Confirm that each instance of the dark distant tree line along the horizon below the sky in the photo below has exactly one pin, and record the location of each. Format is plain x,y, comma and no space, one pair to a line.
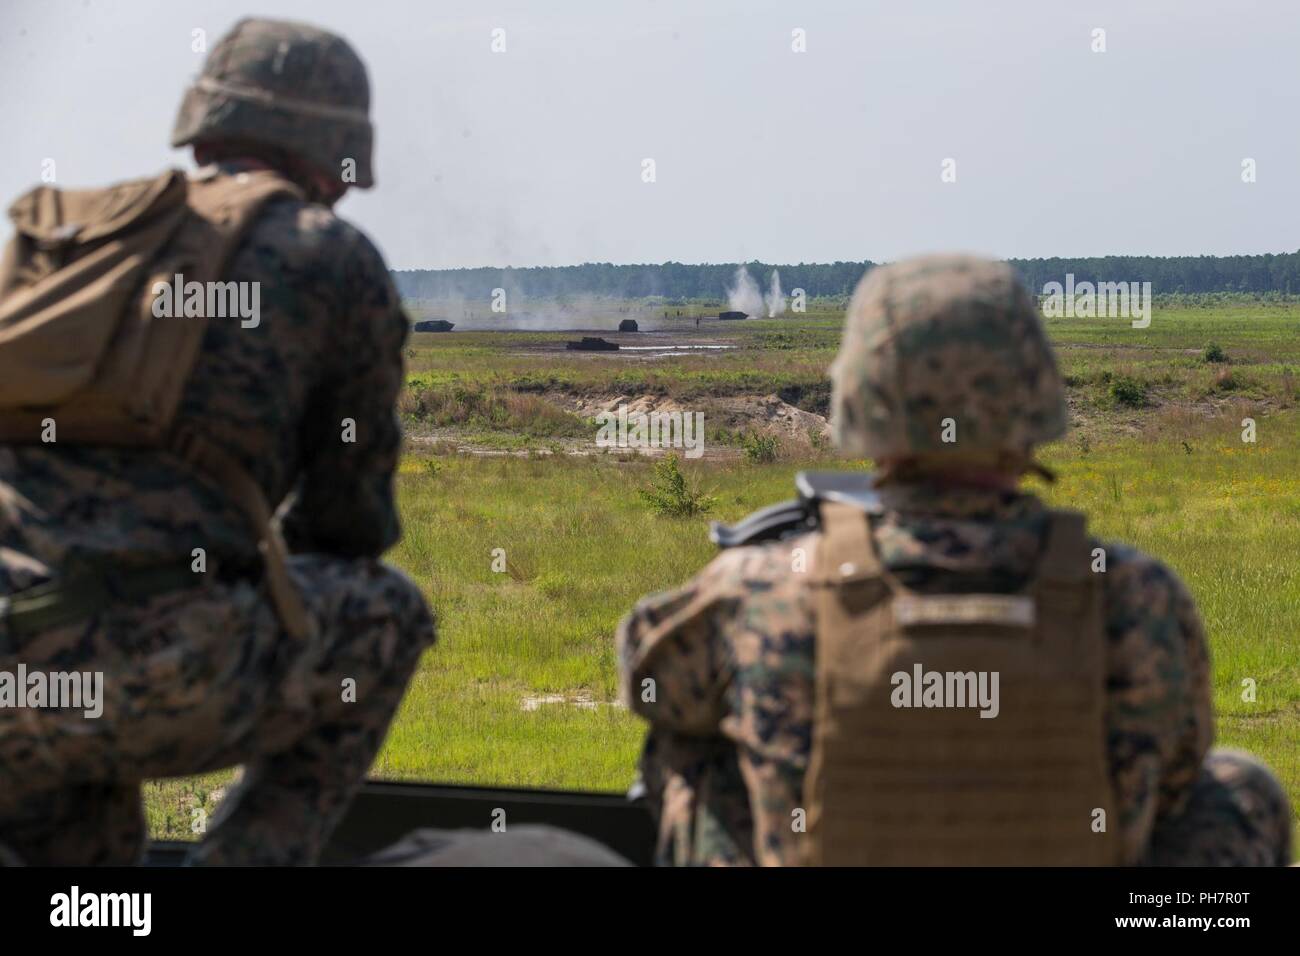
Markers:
1168,275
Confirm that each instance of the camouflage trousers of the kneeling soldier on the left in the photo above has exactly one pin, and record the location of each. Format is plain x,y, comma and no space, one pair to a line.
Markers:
203,680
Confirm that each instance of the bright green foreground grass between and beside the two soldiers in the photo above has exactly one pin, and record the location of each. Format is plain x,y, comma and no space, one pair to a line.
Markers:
582,548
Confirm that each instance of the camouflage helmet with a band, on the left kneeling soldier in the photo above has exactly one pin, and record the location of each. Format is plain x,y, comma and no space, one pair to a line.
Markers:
291,86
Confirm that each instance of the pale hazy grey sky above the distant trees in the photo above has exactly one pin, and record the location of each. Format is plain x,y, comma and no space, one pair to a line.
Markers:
535,157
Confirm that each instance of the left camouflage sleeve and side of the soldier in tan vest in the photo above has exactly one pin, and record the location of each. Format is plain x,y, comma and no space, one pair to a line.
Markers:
722,671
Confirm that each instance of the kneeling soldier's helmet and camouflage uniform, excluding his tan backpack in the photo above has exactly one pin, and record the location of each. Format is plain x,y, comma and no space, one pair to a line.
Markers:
203,678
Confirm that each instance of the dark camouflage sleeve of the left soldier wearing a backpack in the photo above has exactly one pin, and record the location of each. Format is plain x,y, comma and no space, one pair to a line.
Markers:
352,440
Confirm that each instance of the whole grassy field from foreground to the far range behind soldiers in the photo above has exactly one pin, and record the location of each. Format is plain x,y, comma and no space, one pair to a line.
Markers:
521,689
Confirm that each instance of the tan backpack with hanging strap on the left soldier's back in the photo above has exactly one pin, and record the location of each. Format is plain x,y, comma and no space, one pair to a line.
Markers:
80,343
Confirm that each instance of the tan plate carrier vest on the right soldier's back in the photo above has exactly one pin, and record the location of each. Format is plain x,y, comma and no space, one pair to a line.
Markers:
908,772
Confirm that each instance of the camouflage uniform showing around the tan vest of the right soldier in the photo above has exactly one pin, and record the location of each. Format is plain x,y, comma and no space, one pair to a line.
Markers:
731,656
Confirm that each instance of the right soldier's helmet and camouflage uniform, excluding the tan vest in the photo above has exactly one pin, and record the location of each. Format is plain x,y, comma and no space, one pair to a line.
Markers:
733,655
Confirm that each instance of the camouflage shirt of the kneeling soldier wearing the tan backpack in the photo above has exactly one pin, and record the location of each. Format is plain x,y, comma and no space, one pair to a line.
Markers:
275,391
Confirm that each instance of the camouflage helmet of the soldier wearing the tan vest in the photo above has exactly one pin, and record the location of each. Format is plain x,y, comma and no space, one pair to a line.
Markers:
946,338
